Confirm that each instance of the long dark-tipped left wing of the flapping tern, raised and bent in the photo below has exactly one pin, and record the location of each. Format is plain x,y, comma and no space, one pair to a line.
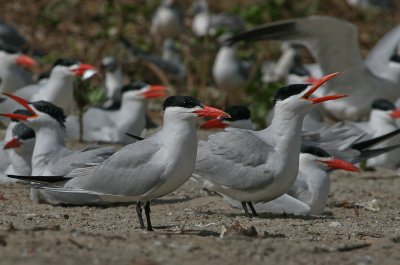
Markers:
332,42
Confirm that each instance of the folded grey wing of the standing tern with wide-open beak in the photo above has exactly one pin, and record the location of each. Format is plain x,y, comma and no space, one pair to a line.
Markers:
235,159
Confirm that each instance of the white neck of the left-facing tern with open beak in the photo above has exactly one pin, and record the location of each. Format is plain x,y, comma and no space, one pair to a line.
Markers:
49,141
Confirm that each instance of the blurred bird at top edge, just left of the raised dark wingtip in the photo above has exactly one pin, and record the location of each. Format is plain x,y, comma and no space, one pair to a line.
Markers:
204,23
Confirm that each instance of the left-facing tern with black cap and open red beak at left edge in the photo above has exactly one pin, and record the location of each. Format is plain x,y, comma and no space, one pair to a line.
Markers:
50,156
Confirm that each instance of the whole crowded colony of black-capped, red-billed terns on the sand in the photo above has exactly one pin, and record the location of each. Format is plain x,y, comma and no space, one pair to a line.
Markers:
331,115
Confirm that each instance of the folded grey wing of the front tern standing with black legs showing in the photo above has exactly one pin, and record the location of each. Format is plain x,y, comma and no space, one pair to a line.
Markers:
130,171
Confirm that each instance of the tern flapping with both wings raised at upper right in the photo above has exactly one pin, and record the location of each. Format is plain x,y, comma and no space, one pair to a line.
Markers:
334,45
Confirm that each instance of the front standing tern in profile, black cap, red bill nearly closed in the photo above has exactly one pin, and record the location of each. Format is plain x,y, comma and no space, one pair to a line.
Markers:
150,168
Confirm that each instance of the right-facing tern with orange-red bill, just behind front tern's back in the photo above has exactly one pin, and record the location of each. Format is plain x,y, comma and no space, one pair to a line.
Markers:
110,125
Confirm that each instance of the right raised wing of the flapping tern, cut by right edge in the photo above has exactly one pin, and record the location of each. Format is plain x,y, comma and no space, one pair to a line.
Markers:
379,57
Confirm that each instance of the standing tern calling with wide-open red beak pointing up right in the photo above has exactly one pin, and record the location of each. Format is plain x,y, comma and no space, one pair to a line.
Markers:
261,165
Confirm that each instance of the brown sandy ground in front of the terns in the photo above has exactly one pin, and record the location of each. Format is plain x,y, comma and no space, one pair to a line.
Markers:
189,223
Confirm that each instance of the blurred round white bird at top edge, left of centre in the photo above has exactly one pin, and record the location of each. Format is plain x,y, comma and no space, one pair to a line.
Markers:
167,21
